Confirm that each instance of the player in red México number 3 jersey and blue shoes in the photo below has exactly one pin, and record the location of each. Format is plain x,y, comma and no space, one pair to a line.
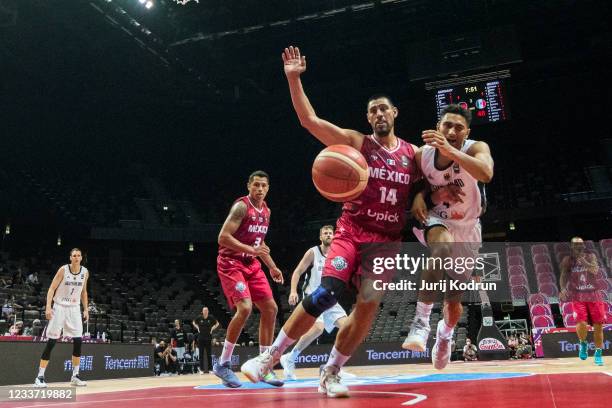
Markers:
241,242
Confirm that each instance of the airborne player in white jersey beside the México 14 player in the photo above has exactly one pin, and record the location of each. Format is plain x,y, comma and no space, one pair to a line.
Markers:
453,166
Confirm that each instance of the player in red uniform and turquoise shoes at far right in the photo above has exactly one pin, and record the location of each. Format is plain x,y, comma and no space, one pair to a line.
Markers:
578,283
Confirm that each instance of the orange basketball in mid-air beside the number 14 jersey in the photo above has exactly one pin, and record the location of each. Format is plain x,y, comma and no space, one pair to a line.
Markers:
340,173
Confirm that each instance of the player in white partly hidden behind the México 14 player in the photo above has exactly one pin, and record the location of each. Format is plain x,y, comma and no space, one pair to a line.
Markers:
333,317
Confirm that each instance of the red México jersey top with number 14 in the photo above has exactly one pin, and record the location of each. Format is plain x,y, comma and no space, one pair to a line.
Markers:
382,205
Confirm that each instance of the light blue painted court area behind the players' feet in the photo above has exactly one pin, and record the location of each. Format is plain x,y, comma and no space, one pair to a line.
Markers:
377,380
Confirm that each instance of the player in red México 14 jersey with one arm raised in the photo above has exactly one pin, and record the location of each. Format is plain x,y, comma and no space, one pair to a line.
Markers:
376,216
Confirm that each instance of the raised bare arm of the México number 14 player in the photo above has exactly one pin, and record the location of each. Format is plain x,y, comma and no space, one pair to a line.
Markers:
326,132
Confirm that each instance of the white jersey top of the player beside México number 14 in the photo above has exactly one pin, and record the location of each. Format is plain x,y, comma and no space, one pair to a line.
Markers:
470,210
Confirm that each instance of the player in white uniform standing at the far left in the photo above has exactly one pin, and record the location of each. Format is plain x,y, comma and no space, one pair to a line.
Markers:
67,292
